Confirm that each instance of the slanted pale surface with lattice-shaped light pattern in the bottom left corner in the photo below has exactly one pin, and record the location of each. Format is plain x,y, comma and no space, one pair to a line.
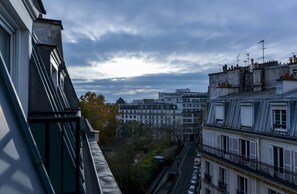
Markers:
18,174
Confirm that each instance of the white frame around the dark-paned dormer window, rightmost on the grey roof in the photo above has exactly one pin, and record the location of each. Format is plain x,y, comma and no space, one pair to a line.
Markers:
279,107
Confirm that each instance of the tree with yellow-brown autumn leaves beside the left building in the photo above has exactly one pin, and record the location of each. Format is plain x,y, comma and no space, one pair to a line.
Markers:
102,116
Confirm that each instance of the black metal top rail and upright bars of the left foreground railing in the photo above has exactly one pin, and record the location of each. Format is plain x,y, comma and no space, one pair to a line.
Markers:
62,119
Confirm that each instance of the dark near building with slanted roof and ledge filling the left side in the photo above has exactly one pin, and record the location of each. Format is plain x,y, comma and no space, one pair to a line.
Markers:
46,146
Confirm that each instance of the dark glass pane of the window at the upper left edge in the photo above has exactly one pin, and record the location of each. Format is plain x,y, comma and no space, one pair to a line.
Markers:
5,46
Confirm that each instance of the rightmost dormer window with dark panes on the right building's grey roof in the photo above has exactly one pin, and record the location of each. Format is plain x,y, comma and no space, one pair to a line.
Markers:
279,116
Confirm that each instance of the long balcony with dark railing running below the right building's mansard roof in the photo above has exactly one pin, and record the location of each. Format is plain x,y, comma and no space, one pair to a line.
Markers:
278,174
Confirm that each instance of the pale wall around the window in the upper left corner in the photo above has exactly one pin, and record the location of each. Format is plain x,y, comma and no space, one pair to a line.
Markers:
17,19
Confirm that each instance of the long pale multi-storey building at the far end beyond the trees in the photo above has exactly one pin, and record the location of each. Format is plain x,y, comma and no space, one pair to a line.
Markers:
179,110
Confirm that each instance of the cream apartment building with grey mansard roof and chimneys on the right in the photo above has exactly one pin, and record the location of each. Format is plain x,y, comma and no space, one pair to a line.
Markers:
249,136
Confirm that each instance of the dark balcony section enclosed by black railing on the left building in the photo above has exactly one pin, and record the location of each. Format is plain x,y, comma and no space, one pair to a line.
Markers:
58,138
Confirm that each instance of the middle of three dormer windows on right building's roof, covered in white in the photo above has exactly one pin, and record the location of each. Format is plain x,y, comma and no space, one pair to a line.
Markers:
246,114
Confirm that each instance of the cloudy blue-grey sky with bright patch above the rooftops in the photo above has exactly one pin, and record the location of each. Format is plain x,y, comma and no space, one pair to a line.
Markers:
137,48
